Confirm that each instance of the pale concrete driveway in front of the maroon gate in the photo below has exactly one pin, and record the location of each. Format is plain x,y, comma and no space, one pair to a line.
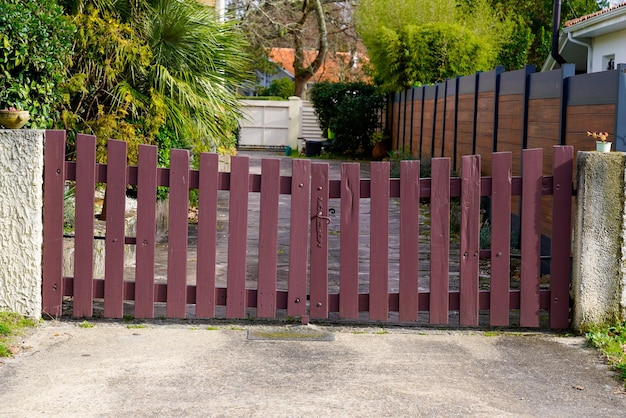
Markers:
211,369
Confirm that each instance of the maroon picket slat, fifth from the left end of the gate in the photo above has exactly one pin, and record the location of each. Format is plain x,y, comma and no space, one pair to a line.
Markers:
177,234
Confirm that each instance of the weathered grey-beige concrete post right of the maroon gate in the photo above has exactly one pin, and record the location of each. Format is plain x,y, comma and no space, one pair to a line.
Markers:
599,264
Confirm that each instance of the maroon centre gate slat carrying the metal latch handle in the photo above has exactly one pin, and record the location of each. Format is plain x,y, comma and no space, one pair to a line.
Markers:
319,241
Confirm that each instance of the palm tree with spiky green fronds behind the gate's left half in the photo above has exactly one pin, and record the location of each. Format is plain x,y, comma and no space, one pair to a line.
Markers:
196,63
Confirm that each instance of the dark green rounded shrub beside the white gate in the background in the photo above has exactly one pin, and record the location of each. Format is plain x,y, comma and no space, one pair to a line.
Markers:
350,112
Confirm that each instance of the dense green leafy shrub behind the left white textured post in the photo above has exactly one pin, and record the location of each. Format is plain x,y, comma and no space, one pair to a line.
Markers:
36,41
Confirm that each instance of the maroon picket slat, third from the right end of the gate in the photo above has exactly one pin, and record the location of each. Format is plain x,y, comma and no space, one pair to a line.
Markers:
500,239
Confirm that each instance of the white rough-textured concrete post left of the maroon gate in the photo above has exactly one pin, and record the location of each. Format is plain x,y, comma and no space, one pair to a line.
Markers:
21,225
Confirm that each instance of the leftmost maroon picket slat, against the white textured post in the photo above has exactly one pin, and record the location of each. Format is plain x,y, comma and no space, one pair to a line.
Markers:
54,188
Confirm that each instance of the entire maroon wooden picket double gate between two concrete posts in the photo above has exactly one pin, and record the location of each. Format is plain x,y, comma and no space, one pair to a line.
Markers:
374,295
